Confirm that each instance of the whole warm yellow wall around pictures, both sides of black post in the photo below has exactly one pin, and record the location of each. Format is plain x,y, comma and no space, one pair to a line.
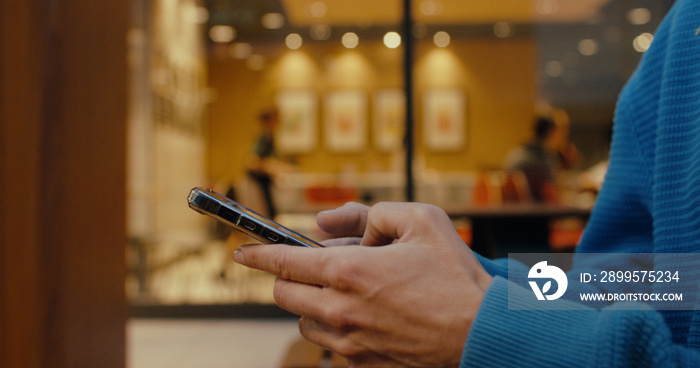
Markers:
496,78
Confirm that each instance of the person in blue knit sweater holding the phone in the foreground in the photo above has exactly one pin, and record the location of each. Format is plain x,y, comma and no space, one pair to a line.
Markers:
408,292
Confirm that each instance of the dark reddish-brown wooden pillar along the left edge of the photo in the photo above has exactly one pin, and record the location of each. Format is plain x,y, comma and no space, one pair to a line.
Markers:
63,96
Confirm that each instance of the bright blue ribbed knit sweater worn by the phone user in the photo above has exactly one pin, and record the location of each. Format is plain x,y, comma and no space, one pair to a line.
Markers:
650,203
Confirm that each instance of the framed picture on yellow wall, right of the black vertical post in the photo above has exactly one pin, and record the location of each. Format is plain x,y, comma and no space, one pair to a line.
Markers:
443,119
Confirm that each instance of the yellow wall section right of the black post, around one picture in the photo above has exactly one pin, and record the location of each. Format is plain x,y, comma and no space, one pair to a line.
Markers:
498,82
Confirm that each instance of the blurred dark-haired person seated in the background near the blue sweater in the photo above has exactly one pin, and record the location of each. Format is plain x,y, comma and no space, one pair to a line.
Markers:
537,162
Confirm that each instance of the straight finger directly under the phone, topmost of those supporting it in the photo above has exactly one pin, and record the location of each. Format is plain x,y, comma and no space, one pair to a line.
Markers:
306,265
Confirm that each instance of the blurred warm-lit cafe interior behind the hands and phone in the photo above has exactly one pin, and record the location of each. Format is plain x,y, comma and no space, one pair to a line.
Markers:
412,100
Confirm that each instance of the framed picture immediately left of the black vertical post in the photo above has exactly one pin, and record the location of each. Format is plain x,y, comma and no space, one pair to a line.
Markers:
389,119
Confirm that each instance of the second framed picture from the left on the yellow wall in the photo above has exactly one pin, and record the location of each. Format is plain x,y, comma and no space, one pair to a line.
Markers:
346,120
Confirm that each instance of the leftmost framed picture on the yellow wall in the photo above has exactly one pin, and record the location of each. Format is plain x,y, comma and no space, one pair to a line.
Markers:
298,127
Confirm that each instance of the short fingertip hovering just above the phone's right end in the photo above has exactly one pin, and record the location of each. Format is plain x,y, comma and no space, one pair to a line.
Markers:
349,219
